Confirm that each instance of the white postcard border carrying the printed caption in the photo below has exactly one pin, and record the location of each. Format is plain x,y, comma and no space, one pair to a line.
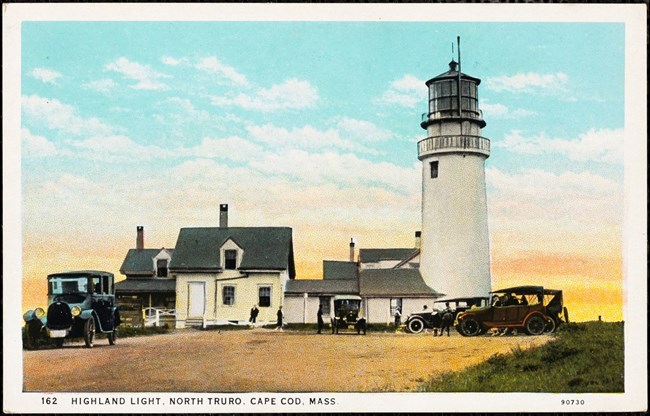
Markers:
635,222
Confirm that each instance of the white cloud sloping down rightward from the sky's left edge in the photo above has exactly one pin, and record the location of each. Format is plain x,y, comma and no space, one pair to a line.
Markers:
56,115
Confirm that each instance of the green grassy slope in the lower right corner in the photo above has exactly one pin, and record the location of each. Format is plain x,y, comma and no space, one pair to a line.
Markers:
583,358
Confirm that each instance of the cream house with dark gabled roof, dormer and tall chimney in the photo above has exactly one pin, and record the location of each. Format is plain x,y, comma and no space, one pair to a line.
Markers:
221,272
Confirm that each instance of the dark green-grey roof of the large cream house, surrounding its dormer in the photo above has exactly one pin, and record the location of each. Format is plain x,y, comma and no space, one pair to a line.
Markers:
265,248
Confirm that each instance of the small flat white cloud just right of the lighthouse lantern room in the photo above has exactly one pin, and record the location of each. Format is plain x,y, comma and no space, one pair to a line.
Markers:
530,83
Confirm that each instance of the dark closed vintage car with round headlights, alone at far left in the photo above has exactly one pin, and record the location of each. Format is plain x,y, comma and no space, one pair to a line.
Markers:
81,303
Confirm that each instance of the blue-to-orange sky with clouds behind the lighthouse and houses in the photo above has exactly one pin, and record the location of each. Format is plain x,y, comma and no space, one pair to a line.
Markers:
314,126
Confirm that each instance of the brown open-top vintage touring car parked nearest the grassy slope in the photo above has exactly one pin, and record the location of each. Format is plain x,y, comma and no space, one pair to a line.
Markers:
532,308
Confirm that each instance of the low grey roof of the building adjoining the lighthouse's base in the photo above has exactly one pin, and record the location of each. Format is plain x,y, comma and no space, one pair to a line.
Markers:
394,283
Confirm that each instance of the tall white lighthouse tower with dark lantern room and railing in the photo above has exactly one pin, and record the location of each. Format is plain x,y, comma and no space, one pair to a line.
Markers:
455,252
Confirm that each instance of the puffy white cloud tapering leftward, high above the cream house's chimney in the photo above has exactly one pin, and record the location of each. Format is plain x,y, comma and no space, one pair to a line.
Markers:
292,94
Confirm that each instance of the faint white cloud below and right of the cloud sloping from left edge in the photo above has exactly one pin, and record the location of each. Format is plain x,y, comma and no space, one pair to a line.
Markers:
117,148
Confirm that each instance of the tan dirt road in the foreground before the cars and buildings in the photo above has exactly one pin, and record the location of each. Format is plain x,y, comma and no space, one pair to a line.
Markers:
259,360
